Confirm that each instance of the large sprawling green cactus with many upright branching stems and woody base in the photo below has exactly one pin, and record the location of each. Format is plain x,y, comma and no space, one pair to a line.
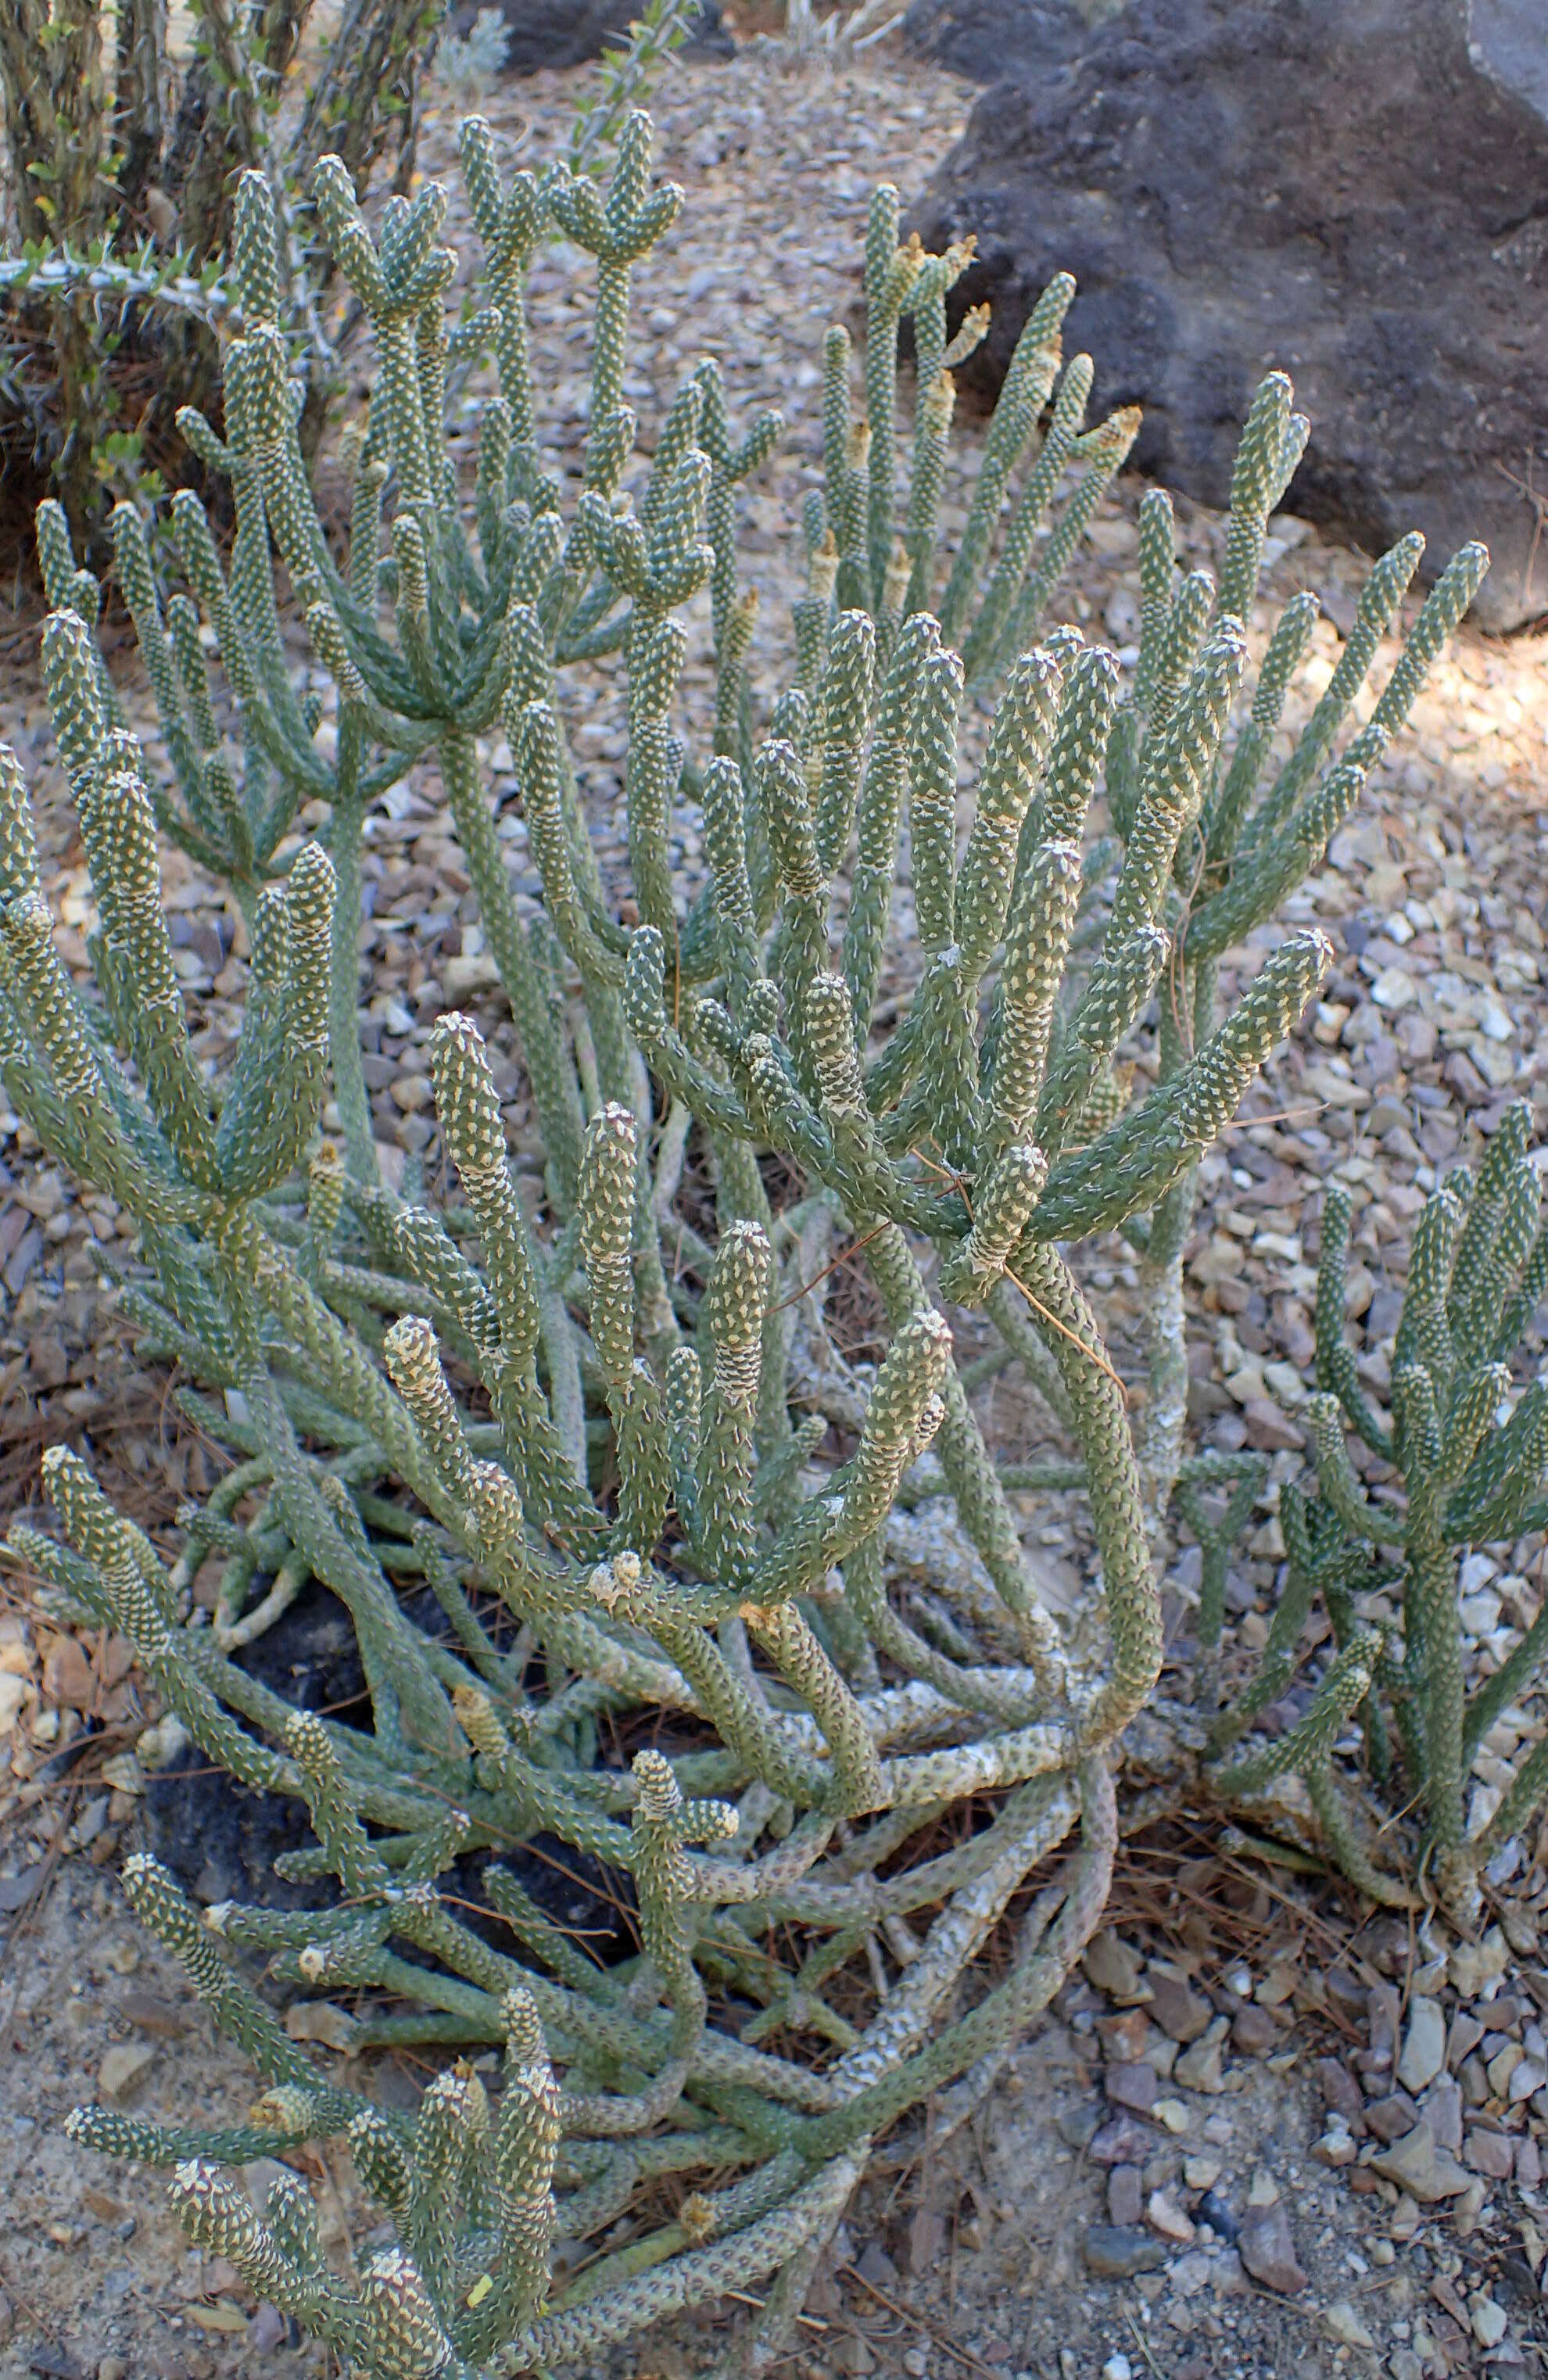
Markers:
580,1422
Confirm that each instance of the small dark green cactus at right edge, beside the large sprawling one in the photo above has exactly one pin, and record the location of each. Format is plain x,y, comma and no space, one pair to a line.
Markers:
1468,1451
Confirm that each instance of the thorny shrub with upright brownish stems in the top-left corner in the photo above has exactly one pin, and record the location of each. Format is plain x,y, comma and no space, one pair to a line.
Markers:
123,213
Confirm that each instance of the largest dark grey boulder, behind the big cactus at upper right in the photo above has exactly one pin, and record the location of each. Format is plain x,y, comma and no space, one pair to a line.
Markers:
1354,192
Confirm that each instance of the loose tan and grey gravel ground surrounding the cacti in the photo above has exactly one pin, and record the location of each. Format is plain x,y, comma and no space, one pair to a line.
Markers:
1435,898
